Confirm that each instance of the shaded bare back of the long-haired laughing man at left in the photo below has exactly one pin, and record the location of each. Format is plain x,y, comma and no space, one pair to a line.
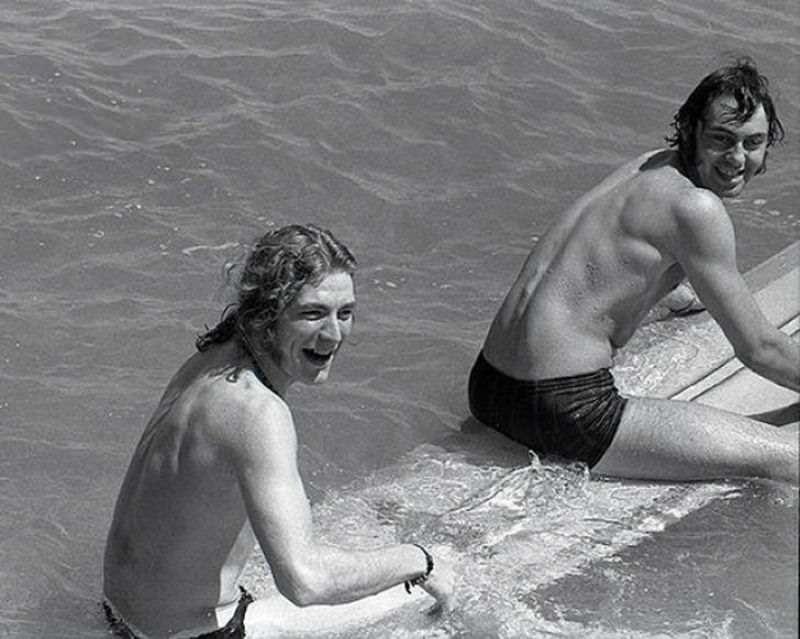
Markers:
180,535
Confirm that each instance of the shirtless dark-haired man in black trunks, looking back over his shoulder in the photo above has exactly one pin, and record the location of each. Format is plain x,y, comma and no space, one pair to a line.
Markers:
543,376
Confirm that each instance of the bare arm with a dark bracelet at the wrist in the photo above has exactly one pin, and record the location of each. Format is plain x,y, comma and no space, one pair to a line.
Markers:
306,571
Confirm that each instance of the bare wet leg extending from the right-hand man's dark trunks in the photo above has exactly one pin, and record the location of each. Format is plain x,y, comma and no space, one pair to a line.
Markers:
676,440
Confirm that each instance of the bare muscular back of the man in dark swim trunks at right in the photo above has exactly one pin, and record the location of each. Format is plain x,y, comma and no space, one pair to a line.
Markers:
592,277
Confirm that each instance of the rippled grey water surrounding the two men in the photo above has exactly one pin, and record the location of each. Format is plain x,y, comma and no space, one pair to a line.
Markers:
143,144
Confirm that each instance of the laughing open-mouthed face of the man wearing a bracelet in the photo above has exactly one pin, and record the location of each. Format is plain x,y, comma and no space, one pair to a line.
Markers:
313,327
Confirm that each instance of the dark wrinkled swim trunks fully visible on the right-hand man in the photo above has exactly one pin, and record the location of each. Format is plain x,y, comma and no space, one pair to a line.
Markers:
571,417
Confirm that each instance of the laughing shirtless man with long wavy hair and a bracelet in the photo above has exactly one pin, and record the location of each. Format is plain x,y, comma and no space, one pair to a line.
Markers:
216,468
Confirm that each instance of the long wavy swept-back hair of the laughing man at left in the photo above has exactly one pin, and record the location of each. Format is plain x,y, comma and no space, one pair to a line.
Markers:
280,264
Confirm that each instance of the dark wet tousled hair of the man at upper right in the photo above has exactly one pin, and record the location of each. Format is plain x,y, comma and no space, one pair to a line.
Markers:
745,84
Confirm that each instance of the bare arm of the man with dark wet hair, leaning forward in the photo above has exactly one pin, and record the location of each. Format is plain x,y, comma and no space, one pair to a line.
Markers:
705,246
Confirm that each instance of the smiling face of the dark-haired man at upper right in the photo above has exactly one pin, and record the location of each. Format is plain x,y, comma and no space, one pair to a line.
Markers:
729,153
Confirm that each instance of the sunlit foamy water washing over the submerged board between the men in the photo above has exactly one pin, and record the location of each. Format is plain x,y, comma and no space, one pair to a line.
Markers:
512,533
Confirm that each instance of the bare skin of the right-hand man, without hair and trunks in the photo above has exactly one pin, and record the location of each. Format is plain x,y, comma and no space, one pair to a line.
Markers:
608,259
